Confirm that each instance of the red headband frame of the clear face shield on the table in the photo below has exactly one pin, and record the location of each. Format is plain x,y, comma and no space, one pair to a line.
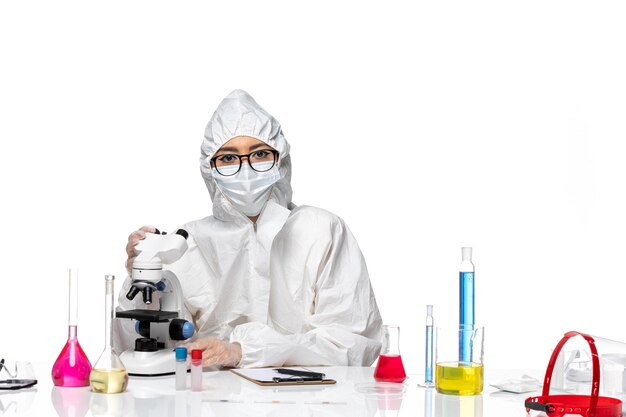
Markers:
585,405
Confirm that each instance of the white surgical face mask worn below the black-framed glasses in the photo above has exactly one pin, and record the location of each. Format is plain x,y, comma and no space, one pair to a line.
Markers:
248,190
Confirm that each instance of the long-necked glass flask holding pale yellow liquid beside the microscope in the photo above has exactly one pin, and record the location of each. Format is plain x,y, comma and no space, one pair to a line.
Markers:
109,375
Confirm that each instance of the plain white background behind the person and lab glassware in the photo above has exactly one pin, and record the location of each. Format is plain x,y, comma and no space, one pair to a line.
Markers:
426,126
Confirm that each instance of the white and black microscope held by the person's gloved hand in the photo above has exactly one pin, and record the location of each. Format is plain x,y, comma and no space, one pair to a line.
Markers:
159,329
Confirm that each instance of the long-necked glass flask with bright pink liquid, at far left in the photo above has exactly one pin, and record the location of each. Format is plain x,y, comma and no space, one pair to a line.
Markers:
72,367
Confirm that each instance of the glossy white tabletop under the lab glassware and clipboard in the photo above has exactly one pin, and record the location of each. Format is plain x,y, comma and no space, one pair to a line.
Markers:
225,394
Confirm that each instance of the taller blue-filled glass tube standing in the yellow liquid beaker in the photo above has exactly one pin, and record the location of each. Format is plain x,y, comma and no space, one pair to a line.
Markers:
466,304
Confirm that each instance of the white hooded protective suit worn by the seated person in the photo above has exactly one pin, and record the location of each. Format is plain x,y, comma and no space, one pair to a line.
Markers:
292,289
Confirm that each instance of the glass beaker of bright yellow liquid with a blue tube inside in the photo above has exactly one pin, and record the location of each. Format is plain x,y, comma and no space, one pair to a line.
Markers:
453,375
